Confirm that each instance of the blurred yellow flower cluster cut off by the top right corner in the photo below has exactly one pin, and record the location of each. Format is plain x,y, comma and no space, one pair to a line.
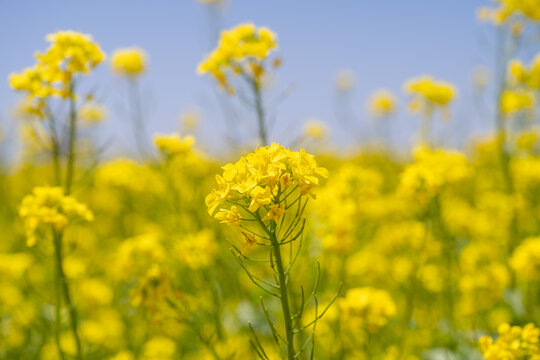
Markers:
507,8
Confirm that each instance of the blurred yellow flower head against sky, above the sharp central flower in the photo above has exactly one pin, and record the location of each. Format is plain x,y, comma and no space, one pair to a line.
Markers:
241,50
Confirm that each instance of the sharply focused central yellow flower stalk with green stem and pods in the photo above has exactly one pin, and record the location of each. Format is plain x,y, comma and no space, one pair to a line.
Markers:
265,195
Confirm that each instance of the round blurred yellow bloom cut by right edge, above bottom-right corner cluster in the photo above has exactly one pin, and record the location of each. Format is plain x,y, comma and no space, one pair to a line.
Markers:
525,260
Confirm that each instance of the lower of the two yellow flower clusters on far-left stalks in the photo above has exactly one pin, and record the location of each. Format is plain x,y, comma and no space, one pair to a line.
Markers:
49,205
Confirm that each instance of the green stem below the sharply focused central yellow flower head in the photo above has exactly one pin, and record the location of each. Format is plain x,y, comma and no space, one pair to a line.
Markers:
284,296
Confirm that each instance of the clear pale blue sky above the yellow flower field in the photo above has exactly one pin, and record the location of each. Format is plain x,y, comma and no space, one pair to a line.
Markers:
384,42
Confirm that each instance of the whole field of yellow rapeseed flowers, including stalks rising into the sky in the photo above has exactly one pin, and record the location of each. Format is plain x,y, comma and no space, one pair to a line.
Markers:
275,250
